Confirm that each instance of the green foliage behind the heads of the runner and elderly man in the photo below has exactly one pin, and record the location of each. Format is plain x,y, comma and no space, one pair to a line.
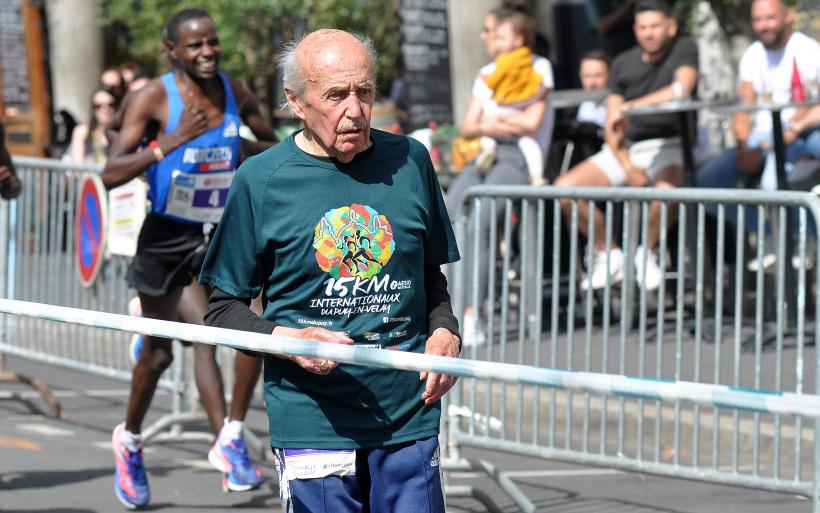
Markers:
251,32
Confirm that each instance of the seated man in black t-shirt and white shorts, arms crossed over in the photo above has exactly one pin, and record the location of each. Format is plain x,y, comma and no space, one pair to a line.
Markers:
646,150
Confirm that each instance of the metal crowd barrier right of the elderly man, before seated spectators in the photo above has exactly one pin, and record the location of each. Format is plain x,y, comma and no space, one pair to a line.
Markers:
716,318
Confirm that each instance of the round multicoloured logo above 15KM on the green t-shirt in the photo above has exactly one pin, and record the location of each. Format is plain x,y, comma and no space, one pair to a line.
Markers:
353,241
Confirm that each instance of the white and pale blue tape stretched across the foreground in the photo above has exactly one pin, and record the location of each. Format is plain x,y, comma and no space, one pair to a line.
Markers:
704,394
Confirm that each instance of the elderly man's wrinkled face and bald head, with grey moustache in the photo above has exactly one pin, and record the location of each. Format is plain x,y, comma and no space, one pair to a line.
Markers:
339,95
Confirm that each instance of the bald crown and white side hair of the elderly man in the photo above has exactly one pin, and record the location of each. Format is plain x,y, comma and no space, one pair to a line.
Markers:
301,58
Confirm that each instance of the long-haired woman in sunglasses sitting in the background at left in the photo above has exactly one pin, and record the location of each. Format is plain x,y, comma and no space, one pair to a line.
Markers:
89,142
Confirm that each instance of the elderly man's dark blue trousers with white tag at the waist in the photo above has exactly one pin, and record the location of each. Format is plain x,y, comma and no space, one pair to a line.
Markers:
396,478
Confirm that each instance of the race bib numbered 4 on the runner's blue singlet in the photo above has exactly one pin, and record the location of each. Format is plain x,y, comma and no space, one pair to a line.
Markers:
198,197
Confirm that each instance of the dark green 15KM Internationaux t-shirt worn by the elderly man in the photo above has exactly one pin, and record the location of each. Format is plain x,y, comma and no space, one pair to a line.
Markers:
342,247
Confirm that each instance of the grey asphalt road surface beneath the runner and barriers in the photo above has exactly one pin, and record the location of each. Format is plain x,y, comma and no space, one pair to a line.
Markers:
66,465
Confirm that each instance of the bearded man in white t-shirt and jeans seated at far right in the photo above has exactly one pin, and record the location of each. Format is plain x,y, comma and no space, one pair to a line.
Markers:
766,70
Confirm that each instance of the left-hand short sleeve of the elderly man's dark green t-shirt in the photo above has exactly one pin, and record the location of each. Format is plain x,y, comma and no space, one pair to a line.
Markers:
232,261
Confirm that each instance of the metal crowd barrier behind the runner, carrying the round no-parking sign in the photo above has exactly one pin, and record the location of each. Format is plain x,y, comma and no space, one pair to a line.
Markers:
37,248
